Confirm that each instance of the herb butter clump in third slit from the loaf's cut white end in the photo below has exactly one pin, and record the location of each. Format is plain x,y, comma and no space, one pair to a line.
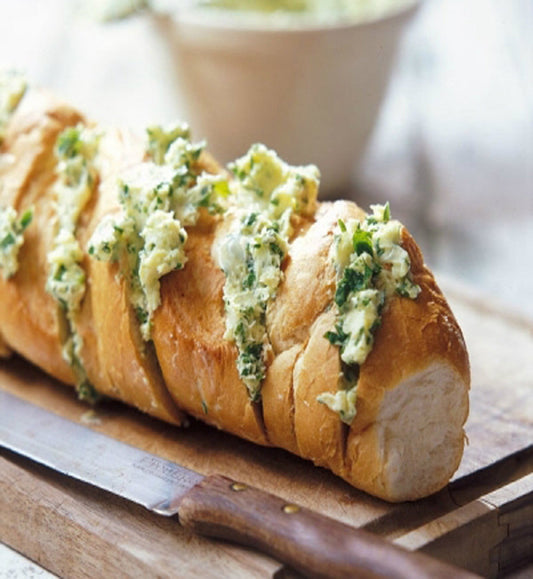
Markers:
159,198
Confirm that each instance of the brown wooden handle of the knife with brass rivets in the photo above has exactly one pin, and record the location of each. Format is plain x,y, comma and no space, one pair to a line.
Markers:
311,543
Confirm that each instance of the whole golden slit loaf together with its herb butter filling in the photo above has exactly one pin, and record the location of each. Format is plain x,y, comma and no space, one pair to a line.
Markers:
139,269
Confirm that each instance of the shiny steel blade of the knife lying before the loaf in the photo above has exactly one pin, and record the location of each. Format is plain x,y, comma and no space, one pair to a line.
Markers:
91,457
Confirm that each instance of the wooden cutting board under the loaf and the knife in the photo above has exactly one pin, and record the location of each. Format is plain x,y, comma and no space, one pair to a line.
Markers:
481,521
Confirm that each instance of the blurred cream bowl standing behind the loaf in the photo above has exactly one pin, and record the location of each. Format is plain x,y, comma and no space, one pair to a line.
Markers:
310,91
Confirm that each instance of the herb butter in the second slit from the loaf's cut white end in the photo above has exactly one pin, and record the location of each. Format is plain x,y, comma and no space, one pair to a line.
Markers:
266,193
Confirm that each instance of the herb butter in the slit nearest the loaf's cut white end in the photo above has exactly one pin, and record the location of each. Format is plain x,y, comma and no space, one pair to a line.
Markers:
371,266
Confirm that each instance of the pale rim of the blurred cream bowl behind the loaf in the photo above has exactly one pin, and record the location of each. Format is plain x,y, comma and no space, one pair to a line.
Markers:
240,21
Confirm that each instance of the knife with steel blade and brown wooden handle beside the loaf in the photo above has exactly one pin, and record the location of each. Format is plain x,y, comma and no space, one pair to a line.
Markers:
213,506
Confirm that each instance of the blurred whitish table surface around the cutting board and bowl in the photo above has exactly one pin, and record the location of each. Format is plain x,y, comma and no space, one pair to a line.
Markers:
452,152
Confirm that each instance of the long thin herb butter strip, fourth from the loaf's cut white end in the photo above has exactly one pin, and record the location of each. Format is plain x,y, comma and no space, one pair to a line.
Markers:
76,151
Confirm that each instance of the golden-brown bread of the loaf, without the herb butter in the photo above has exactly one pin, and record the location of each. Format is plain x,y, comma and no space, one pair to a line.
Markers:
407,437
